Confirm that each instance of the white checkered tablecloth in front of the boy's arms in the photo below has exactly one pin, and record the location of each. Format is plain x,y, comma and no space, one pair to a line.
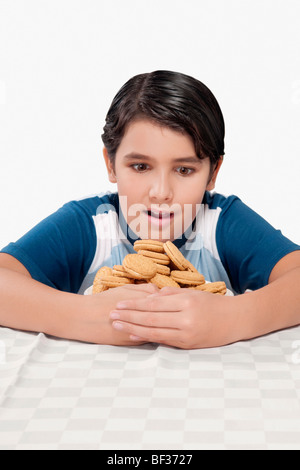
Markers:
57,394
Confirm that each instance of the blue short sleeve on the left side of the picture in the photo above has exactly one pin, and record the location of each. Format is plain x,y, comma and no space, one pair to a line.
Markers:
59,250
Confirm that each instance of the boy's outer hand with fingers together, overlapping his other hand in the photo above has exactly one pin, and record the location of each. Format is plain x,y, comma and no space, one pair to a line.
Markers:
183,318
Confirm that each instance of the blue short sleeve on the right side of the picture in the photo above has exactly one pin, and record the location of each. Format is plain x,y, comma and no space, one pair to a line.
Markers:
249,247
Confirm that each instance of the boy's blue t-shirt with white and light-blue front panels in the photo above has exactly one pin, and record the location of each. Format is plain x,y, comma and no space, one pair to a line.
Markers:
226,242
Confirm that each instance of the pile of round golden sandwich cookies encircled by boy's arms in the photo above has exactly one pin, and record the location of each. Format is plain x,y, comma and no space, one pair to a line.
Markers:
161,264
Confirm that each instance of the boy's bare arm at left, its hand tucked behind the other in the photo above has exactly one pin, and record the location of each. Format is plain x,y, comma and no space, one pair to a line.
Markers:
28,305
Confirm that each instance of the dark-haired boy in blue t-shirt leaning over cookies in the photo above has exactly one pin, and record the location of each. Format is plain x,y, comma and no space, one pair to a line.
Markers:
164,147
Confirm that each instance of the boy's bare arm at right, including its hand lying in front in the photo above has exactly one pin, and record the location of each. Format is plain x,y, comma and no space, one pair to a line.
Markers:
192,319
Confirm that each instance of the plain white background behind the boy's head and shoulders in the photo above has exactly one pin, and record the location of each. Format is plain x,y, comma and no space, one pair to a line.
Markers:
62,62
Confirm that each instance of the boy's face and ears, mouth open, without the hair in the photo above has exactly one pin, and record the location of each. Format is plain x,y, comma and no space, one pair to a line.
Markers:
161,181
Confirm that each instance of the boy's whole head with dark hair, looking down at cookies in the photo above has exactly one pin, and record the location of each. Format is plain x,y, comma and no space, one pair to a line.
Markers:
164,144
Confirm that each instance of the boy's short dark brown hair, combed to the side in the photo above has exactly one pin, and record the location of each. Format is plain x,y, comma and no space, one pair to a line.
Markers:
172,100
